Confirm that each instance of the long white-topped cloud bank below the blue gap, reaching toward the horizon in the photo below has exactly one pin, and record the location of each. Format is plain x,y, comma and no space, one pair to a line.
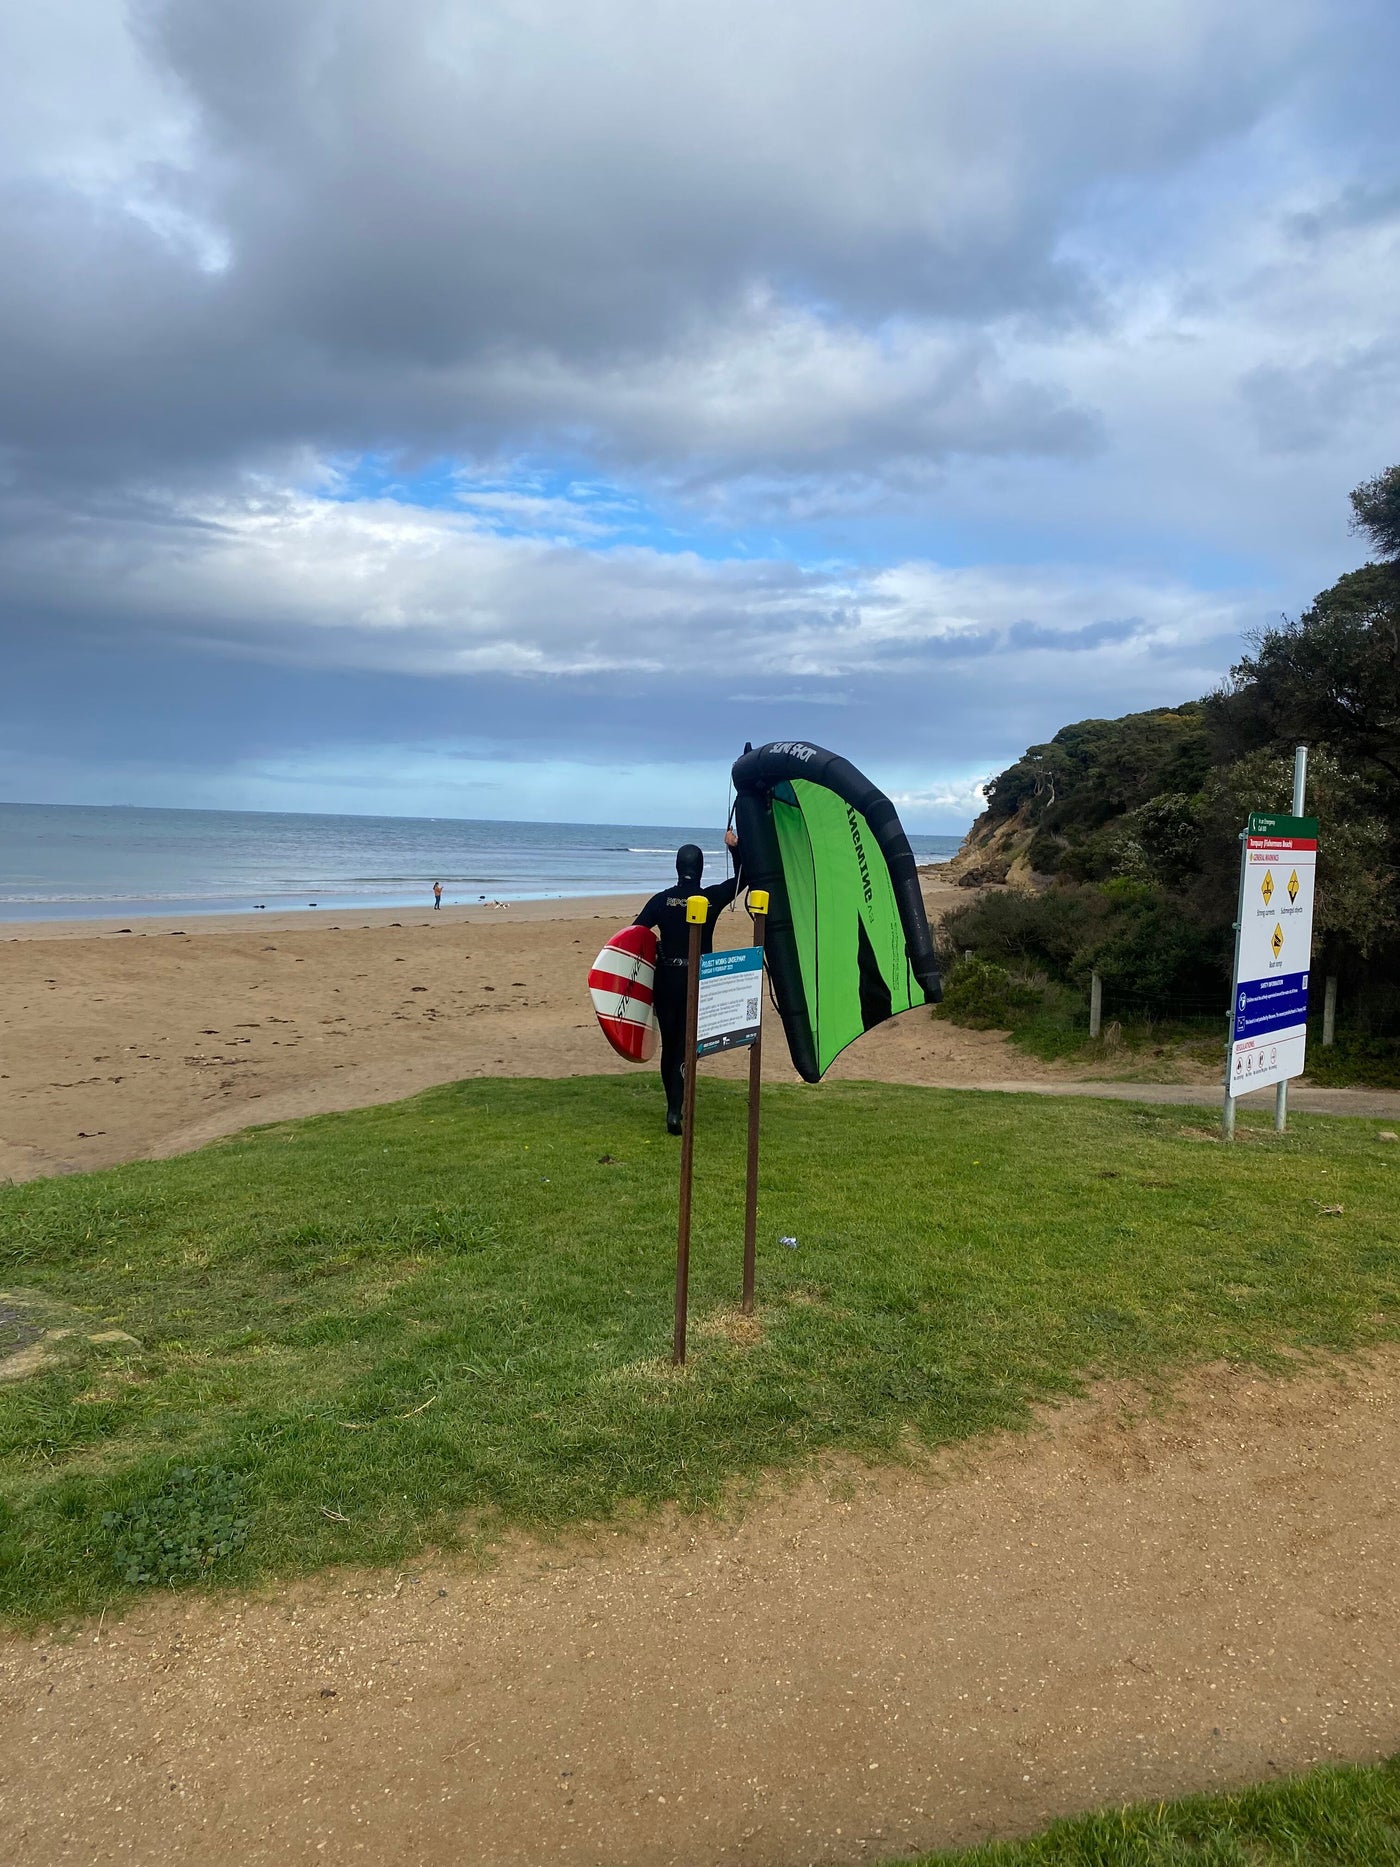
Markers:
315,626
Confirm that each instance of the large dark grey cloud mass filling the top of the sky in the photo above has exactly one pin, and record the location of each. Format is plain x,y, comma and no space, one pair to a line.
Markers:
423,225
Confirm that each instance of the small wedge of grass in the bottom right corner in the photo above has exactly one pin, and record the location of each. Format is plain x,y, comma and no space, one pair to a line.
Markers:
1324,1819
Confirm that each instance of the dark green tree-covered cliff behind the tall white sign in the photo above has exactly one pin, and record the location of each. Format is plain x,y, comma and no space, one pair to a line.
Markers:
1121,837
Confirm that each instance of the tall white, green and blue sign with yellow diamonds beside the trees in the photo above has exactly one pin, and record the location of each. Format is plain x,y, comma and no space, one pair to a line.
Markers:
1274,953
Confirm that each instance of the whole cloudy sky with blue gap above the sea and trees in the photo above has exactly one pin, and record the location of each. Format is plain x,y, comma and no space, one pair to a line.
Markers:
509,410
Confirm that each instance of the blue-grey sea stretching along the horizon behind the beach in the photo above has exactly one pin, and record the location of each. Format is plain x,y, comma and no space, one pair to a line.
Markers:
74,862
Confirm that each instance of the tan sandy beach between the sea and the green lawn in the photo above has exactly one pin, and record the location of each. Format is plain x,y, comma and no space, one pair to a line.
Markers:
126,1045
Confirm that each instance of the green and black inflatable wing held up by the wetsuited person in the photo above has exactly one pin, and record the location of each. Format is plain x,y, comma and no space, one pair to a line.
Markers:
848,940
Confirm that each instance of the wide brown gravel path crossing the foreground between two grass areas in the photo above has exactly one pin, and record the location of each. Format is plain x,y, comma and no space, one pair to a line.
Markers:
1112,1608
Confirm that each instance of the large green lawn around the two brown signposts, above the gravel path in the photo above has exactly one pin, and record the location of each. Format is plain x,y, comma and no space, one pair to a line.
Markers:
427,1323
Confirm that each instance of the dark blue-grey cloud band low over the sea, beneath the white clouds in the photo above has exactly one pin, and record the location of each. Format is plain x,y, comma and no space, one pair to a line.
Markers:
132,710
